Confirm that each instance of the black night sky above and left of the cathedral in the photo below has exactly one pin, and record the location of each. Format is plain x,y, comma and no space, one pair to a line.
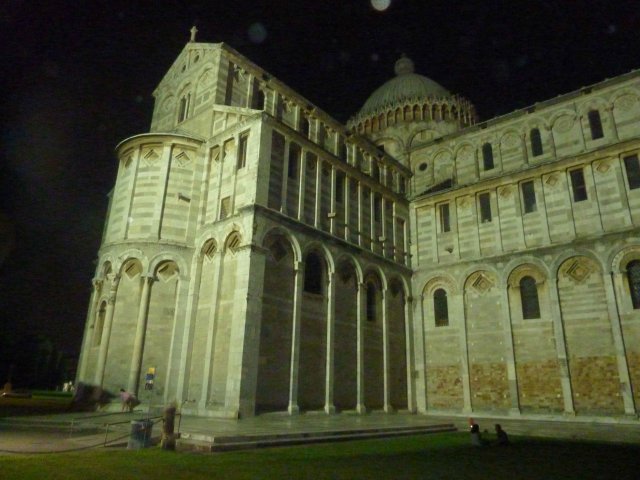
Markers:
77,78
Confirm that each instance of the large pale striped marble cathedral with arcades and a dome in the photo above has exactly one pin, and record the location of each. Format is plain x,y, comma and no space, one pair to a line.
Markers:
260,256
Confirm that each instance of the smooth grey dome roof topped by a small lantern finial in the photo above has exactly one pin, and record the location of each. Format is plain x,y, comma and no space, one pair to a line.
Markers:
406,85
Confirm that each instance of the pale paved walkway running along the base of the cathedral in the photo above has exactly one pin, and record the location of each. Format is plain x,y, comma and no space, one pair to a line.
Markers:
75,431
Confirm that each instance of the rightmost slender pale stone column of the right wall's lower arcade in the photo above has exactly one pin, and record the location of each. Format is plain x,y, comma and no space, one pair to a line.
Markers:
618,342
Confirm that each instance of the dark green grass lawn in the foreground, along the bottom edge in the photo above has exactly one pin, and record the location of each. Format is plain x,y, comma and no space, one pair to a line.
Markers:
435,456
